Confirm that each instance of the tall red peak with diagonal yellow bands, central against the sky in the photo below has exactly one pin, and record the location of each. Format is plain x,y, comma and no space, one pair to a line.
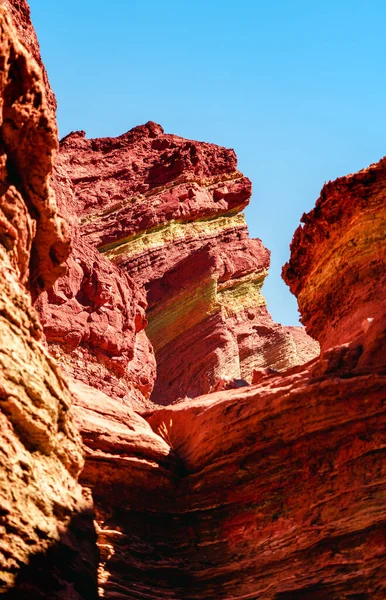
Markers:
166,211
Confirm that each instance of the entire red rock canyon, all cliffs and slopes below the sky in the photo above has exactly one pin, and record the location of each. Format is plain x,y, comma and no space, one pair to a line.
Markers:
162,436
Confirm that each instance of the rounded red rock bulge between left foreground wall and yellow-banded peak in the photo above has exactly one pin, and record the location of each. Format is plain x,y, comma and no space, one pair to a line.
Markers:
94,316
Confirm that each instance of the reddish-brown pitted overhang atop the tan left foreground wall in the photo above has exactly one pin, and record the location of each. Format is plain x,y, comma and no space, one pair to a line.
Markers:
29,138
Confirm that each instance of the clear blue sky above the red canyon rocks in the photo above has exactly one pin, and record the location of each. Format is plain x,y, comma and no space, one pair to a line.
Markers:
296,87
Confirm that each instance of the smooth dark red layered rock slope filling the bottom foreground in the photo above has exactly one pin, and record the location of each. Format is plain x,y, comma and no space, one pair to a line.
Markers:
275,491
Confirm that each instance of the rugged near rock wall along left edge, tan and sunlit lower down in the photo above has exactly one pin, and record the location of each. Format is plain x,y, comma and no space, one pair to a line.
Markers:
45,519
